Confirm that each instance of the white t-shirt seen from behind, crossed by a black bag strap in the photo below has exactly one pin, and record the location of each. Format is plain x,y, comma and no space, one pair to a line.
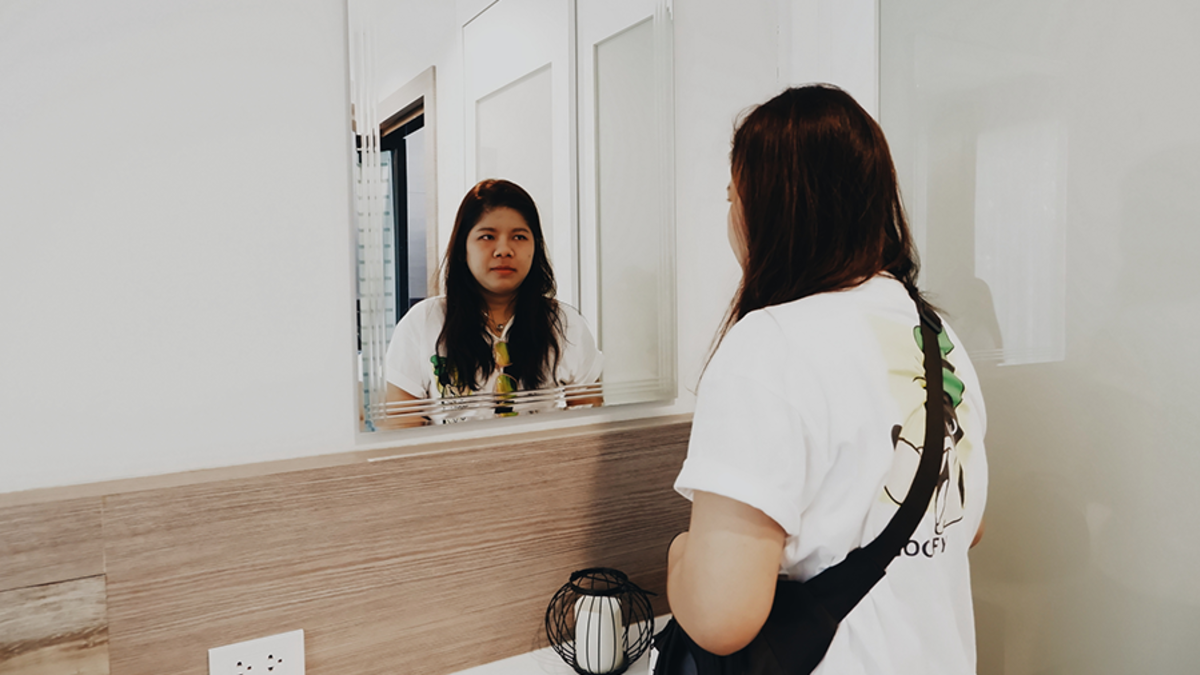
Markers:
813,413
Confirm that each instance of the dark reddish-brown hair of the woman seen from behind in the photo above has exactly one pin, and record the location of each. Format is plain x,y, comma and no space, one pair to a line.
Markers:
820,201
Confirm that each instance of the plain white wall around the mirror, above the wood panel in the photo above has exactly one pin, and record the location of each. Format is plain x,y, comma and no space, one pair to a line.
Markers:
176,279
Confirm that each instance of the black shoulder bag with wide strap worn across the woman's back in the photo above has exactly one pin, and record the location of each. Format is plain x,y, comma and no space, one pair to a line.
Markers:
805,616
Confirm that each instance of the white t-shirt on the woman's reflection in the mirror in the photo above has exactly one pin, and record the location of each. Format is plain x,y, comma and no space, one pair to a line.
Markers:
413,360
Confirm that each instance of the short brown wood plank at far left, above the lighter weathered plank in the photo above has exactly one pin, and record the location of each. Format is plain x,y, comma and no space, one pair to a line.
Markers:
43,543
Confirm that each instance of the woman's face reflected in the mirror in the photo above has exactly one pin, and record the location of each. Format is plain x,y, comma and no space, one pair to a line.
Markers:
500,252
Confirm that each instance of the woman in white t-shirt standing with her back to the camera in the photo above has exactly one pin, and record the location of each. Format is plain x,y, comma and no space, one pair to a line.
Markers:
811,413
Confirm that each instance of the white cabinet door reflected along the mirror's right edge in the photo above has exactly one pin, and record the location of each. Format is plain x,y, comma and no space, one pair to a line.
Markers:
625,232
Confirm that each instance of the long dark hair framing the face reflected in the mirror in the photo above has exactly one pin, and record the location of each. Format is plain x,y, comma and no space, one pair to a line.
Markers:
533,338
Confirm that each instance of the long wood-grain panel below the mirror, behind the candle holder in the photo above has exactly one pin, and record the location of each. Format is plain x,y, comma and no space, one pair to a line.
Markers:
424,564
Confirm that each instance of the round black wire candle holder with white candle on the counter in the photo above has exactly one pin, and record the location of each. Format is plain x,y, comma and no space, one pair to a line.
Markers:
601,623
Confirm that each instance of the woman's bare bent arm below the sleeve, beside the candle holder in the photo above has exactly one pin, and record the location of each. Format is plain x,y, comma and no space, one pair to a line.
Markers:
722,574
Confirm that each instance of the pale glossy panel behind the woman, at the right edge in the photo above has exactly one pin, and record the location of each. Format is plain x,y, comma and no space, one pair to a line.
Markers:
1049,154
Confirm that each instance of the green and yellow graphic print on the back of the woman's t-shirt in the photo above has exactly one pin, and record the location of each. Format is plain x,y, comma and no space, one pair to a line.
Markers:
950,497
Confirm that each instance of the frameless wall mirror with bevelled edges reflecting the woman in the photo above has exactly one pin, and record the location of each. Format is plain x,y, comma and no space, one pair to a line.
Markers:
572,103
